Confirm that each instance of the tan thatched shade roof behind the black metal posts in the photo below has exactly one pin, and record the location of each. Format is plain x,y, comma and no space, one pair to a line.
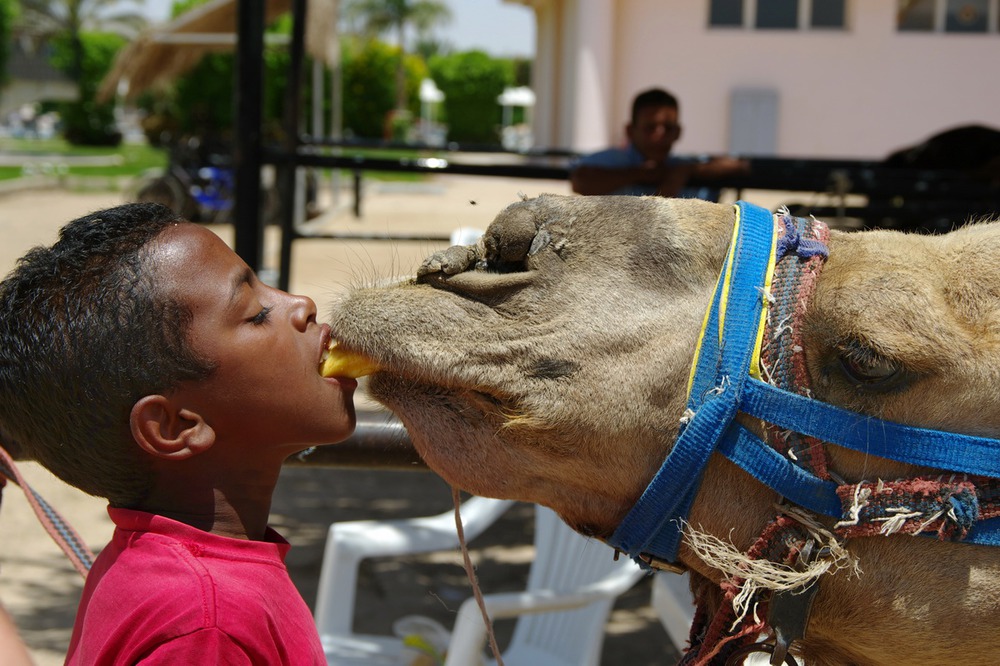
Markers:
162,53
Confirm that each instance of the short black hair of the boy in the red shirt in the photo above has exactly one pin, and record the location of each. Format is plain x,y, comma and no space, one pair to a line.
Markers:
83,335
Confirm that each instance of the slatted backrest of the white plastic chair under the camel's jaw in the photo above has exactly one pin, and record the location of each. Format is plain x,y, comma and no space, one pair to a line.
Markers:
566,562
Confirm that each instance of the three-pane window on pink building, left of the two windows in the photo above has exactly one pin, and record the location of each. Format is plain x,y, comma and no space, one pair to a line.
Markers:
777,14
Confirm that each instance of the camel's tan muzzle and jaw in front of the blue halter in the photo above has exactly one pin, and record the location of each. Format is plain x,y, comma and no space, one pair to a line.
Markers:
549,363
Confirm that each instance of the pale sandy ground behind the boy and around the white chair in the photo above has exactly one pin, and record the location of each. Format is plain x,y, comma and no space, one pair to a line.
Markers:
41,590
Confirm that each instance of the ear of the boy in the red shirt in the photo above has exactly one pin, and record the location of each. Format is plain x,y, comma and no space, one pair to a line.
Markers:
165,430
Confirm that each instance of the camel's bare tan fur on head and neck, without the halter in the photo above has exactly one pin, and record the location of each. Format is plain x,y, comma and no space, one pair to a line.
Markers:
550,363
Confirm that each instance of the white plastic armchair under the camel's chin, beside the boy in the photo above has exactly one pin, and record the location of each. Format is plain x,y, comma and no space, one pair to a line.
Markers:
572,585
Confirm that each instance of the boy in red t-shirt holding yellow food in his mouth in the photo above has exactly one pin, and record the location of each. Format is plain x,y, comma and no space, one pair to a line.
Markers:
141,360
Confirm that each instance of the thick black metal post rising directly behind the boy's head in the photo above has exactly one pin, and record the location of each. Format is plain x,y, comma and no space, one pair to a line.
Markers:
247,147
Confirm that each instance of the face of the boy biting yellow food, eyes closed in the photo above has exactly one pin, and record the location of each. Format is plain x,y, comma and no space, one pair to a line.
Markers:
266,392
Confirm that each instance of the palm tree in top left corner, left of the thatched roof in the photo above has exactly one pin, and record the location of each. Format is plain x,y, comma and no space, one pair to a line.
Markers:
49,18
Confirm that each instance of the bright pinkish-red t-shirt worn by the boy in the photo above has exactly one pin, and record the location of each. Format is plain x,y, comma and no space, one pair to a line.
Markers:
163,592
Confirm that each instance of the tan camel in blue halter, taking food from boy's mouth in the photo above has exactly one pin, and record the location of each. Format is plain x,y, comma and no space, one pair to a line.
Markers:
551,363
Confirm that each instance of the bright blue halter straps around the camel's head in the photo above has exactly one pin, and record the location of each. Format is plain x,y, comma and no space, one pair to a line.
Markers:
721,386
